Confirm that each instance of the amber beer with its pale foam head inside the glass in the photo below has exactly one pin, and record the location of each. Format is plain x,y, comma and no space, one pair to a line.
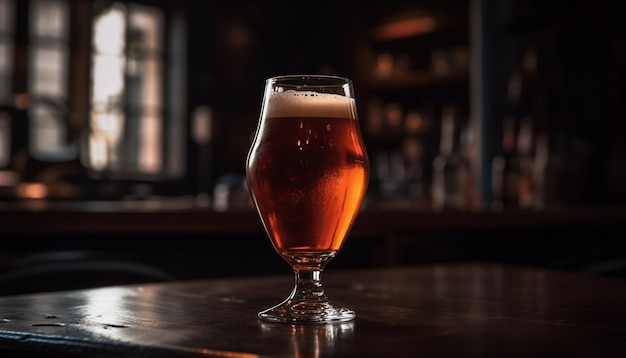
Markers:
308,171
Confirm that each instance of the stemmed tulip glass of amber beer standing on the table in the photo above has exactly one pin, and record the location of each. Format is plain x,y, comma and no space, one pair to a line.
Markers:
307,172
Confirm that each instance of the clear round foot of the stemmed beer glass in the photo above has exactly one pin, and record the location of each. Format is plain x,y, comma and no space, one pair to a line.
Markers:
307,312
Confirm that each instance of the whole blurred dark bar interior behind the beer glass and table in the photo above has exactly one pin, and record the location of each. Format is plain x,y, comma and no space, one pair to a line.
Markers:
495,129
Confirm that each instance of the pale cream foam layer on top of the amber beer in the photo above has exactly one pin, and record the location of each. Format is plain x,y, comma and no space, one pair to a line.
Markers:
309,104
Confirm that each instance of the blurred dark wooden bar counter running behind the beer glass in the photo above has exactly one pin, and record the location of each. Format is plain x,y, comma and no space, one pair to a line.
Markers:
182,217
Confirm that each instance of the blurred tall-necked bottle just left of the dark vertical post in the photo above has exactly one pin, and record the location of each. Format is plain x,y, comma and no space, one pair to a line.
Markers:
451,170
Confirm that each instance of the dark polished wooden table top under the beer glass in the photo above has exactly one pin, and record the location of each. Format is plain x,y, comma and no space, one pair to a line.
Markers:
460,310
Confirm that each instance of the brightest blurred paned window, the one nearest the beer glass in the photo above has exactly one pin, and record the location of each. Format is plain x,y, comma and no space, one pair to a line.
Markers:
130,131
